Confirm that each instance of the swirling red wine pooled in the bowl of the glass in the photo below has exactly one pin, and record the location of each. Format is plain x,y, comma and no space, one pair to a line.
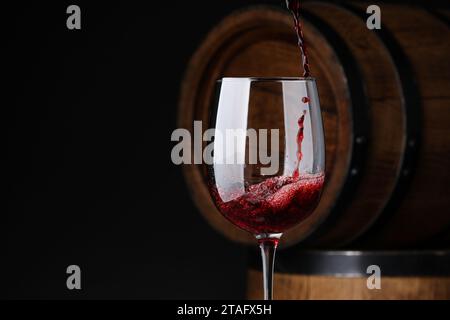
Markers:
272,206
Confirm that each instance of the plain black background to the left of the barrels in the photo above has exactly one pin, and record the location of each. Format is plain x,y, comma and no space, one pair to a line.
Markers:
89,176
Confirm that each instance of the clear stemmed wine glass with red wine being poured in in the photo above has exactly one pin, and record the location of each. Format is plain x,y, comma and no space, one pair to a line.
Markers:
267,158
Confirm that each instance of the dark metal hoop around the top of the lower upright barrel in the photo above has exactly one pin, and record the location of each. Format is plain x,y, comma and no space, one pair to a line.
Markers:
355,263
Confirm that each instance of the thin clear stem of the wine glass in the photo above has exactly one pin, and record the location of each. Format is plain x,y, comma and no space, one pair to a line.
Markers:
268,248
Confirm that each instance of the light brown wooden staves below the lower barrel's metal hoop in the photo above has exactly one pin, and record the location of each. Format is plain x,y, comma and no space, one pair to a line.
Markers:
302,287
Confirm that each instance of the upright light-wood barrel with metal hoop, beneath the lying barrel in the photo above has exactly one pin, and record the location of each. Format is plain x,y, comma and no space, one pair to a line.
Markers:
343,275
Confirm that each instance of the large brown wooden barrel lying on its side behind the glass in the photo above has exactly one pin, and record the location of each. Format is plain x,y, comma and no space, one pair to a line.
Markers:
386,110
